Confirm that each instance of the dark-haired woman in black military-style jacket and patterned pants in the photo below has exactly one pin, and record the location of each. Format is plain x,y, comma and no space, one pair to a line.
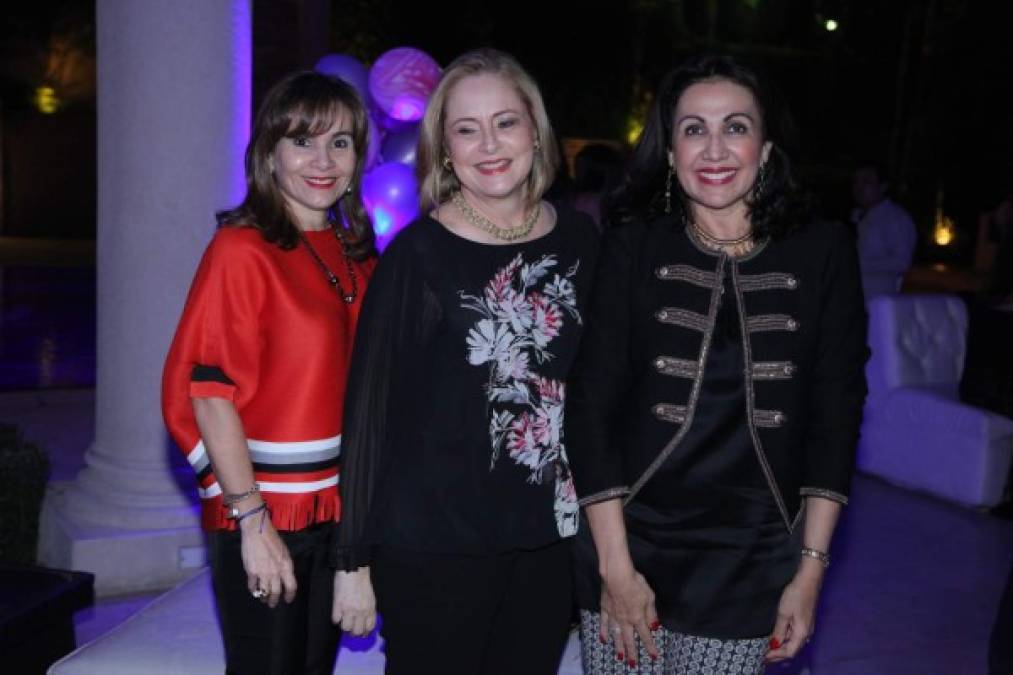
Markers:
716,405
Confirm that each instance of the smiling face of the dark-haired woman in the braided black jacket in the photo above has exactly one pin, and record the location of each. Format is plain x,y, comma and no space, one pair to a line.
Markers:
718,145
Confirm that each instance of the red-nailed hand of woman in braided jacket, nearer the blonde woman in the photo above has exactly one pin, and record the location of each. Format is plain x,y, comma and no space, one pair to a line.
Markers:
629,605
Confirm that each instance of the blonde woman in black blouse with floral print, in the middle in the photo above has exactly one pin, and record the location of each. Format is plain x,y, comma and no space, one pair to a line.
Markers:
459,503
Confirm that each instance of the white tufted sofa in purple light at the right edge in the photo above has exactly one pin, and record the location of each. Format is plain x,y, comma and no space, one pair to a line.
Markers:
916,433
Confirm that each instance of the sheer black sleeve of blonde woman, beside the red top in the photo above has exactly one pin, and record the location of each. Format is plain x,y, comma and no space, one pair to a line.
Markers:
399,313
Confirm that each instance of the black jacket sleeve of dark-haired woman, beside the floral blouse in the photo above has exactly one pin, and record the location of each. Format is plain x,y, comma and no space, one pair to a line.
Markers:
602,377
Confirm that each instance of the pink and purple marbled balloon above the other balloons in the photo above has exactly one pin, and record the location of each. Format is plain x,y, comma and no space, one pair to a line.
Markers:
402,81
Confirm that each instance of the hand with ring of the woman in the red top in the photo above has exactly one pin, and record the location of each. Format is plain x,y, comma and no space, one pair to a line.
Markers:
267,561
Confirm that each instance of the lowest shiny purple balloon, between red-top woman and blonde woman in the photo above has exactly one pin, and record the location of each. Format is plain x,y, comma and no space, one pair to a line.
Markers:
391,195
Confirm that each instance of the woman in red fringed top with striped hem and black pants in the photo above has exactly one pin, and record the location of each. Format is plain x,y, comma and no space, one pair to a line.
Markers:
255,380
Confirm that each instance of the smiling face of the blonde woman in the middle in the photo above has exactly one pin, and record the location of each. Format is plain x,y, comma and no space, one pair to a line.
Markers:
490,137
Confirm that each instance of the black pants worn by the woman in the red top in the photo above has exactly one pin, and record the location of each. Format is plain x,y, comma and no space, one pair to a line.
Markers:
290,639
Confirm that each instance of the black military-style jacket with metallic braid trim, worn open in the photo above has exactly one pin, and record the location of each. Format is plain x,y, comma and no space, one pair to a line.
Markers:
635,389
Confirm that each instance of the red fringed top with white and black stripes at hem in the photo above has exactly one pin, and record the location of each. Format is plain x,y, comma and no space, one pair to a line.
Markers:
264,328
